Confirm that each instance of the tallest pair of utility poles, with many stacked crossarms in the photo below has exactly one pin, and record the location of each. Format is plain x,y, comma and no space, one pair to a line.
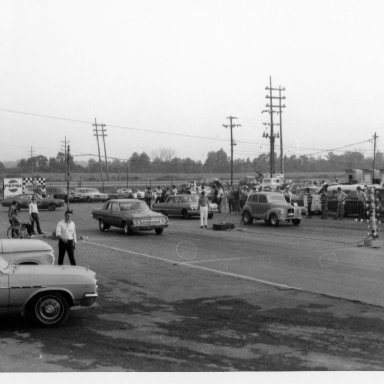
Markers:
272,135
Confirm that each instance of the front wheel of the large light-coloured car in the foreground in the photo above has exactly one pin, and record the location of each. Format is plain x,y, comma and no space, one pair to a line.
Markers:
50,309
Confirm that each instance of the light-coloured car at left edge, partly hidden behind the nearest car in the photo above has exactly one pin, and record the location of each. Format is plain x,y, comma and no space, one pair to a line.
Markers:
26,251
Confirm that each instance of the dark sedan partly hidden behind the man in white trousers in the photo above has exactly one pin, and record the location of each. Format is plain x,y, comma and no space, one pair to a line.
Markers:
183,205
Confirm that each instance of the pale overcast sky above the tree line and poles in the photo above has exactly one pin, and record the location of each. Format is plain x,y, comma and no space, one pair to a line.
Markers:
167,74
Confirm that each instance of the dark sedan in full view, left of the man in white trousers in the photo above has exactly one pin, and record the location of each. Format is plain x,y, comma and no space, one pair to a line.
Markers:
131,215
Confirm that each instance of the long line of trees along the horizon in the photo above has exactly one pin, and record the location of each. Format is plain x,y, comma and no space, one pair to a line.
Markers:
216,161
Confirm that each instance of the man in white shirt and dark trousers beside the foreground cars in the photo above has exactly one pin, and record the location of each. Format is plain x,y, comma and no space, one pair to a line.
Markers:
66,233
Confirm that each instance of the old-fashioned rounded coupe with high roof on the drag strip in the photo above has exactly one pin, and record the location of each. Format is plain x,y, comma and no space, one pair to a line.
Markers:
270,207
